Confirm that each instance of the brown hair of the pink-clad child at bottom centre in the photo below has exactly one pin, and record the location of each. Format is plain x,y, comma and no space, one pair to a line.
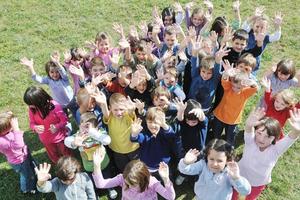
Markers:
136,173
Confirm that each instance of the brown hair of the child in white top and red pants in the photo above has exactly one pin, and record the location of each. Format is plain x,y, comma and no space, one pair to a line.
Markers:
272,126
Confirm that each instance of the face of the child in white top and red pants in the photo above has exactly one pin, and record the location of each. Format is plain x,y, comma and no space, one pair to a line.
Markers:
262,139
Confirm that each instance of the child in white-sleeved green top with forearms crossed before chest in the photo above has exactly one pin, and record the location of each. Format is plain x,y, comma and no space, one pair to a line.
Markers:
88,140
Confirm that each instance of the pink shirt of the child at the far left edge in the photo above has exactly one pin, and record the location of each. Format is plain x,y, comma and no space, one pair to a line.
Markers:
13,147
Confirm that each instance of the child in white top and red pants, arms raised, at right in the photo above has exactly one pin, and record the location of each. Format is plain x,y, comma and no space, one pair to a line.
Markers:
262,151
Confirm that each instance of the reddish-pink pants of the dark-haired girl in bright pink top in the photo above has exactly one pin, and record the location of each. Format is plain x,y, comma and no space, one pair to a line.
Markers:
56,150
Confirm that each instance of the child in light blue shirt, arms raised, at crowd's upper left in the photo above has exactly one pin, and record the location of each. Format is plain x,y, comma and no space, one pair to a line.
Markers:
58,81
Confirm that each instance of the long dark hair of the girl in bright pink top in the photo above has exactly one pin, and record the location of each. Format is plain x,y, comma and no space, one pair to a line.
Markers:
39,98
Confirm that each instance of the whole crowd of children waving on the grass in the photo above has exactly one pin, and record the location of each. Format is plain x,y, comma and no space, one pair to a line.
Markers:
165,107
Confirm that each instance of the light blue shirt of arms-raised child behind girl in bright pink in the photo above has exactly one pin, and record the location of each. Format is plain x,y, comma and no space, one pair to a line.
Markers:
61,89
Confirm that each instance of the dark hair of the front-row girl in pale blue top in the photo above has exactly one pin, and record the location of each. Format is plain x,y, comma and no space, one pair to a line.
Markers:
219,145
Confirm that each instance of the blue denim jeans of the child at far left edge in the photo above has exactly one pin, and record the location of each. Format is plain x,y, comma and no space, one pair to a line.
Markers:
27,175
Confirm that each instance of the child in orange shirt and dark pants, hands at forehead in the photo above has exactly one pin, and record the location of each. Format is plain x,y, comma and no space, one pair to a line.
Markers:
237,90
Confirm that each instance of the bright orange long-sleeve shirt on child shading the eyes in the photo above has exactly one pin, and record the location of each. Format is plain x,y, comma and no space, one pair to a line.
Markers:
232,104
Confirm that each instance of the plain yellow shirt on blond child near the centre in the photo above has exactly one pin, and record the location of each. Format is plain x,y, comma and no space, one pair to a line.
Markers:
119,129
